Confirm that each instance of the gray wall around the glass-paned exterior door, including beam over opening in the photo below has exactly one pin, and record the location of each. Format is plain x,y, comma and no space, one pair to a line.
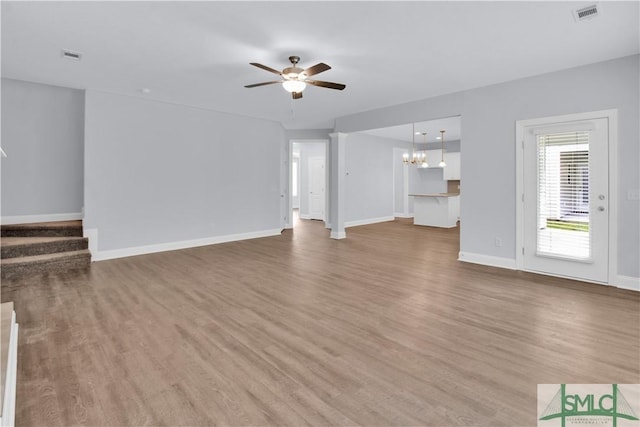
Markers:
488,207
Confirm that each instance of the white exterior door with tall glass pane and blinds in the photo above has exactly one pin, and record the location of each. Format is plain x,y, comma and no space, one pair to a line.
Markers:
566,199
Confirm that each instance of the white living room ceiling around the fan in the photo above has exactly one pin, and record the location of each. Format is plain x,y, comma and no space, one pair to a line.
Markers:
198,53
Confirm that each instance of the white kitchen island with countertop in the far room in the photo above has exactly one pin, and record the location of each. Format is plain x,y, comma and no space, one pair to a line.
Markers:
436,210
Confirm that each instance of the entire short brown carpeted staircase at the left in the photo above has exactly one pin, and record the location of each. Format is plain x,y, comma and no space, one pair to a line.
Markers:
42,247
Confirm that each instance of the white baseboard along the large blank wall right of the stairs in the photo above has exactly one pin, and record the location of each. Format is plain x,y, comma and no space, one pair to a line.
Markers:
185,244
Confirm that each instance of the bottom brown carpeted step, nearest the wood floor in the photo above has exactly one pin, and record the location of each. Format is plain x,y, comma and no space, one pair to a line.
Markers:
63,261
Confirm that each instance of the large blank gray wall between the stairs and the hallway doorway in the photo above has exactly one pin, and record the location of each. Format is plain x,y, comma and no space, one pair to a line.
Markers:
158,172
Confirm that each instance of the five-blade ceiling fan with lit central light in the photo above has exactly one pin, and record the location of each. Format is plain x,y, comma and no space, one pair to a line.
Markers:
295,79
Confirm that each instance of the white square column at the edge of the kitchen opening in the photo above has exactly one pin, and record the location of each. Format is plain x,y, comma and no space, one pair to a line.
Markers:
338,184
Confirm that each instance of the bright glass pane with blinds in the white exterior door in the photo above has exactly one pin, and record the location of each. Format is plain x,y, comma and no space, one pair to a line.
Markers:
563,195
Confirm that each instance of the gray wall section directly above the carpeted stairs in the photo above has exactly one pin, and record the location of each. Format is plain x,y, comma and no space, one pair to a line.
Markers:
43,136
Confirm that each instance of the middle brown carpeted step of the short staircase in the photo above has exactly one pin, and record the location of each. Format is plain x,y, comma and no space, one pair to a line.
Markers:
13,247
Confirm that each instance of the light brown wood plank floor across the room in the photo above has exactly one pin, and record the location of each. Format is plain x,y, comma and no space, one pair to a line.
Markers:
383,328
